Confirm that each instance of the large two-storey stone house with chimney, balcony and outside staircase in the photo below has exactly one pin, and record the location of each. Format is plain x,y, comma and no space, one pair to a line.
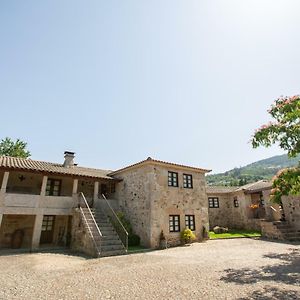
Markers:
46,204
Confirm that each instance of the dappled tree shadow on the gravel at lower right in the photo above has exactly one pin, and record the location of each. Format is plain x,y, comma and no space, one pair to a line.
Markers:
287,271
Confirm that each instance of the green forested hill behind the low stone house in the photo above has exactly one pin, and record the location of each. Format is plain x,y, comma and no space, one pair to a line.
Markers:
263,169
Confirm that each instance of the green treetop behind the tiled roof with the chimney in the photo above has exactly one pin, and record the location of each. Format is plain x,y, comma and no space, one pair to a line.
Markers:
16,149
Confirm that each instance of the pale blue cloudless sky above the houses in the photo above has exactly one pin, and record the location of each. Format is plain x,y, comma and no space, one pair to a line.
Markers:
118,81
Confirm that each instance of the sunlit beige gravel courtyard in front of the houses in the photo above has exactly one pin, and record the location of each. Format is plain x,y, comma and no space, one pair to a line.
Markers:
217,269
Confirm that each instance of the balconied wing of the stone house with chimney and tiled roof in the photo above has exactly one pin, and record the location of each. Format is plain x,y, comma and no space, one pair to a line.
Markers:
37,199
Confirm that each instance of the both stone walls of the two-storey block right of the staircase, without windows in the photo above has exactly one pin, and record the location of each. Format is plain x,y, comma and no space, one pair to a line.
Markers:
147,200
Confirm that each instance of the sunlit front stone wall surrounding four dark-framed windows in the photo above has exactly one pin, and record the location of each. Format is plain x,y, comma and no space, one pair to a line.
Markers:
166,200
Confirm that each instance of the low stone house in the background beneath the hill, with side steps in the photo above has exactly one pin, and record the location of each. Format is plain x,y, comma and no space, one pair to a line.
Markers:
249,207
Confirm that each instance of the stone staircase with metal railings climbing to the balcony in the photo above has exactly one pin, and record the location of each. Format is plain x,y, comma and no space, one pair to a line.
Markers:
109,244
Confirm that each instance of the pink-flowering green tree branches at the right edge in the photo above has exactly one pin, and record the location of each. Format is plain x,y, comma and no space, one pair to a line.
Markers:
285,130
